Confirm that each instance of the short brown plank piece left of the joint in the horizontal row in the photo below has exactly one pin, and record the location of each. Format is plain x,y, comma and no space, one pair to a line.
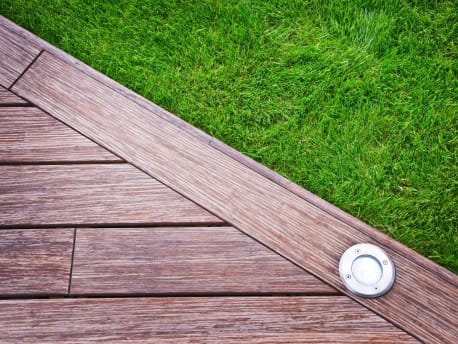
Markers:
35,261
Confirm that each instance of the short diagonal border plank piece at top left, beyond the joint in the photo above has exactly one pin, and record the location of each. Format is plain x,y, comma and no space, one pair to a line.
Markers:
16,53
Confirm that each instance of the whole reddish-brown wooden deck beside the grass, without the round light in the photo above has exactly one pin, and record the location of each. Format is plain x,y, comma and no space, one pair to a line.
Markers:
121,223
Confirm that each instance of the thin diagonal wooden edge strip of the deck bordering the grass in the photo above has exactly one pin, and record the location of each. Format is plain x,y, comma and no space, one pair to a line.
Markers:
327,207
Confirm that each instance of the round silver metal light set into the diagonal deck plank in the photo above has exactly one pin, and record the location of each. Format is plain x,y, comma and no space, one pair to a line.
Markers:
366,270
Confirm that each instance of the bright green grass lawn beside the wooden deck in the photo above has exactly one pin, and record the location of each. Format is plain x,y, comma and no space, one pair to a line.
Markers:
357,101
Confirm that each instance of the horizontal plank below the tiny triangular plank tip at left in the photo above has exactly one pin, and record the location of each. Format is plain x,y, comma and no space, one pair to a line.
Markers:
27,134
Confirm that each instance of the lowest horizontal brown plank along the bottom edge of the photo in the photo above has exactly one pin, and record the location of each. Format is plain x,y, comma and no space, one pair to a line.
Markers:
197,320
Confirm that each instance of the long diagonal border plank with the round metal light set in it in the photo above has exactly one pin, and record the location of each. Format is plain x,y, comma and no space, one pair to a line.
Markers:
421,302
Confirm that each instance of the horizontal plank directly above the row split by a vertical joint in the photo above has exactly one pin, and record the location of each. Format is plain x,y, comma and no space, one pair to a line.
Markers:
90,194
